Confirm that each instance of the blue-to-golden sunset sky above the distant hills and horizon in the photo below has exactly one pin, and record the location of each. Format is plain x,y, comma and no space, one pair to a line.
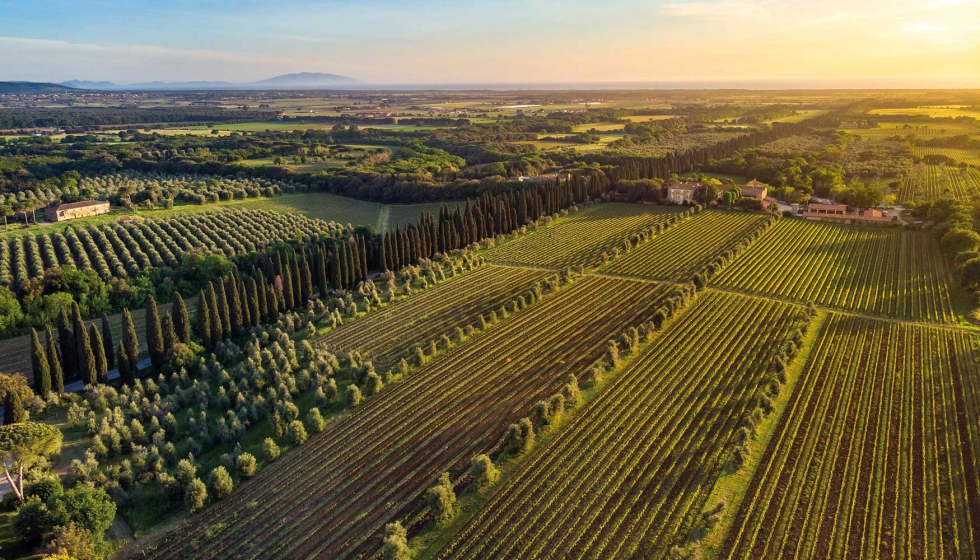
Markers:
861,43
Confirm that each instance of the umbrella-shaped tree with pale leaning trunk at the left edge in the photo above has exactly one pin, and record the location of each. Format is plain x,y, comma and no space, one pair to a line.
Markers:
22,445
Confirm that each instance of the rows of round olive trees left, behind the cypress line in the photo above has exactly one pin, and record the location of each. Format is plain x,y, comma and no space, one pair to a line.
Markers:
121,250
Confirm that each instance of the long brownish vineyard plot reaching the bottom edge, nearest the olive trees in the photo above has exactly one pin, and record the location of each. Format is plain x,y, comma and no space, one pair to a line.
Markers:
330,497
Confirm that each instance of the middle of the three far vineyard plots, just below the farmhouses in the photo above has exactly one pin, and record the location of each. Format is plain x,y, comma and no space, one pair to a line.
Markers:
686,249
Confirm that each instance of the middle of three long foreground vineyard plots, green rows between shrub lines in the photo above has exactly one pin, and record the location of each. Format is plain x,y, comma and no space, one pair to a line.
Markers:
622,478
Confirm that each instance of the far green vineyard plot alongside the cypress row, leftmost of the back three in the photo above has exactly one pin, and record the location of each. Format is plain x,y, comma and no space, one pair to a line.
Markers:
582,239
